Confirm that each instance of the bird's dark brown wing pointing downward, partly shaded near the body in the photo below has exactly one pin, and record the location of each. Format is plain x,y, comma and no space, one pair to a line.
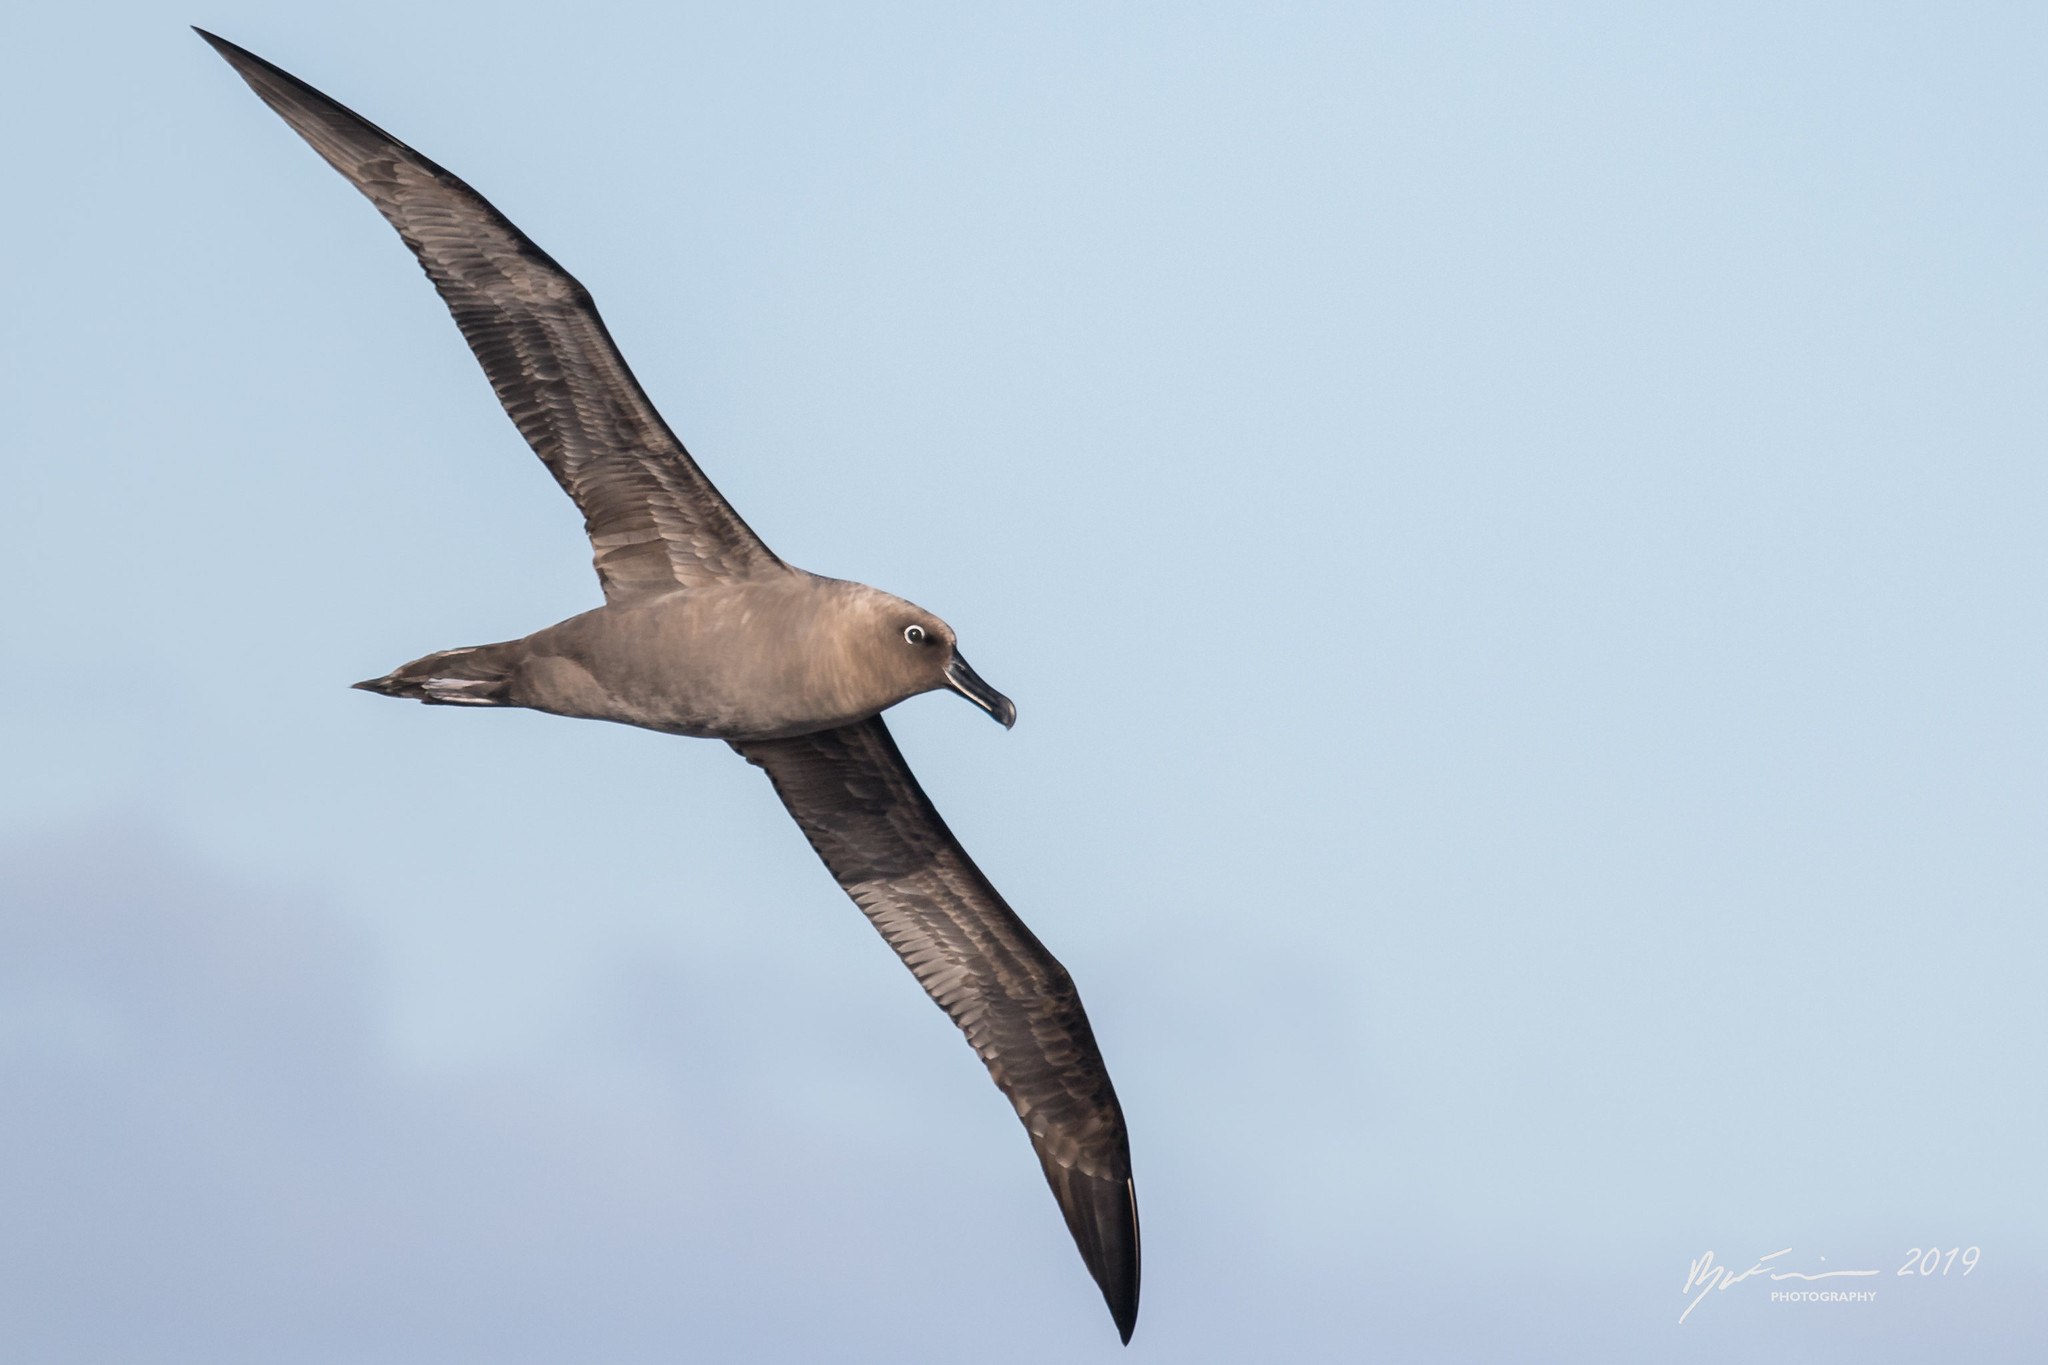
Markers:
880,836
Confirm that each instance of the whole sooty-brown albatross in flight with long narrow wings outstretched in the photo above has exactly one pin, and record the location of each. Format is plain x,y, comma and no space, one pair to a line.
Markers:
708,633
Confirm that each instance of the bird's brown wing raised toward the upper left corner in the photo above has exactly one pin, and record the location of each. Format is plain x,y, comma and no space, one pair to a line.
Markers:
652,515
